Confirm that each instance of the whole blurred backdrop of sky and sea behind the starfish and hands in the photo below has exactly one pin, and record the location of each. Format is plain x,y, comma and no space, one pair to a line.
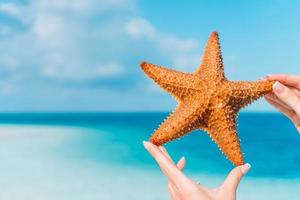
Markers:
75,106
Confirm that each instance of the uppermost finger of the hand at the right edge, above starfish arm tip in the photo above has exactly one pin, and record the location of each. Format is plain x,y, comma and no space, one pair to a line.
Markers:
290,80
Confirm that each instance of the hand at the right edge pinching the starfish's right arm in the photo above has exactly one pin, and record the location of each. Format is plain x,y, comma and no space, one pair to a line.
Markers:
286,96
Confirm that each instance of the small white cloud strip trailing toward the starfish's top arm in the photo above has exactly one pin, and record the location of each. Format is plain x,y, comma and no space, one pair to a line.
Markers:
181,53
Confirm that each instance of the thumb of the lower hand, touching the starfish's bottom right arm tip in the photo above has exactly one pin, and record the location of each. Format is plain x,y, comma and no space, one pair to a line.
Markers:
234,177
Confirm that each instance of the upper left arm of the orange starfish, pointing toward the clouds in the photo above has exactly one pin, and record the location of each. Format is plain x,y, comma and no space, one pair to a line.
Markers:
177,83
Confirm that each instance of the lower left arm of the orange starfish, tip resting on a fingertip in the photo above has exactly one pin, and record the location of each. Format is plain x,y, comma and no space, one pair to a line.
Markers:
182,121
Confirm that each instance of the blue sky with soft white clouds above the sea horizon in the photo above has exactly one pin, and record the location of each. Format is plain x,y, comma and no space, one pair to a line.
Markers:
84,55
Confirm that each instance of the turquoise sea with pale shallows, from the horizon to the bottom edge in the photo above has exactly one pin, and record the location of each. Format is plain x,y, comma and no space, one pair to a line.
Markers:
100,156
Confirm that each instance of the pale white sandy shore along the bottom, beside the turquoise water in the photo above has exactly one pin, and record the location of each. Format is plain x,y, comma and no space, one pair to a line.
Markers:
34,166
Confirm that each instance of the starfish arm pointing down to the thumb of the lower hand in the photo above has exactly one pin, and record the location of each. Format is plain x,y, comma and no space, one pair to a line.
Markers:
222,129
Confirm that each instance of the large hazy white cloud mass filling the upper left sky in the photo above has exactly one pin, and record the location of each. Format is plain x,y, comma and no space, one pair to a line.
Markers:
62,42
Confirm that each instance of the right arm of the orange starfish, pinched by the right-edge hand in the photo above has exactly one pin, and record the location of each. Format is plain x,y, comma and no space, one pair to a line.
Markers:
244,93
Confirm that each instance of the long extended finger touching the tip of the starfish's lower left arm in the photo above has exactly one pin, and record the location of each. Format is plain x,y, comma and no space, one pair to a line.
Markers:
169,168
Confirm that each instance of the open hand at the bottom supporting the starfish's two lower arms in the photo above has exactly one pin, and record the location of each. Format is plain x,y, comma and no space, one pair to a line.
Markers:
182,188
